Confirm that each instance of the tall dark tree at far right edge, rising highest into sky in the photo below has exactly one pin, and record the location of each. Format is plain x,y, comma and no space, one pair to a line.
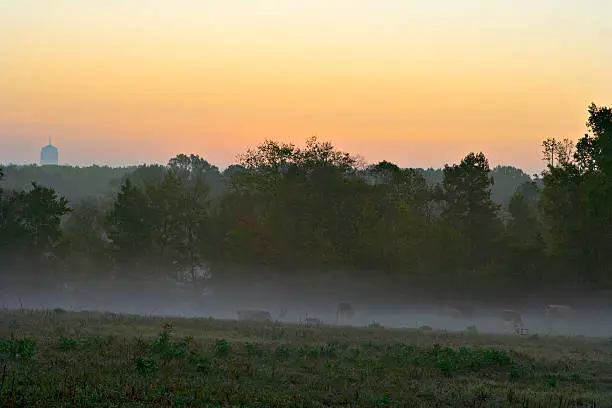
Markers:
576,204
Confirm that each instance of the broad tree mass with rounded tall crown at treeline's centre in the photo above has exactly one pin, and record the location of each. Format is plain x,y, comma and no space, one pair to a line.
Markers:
300,202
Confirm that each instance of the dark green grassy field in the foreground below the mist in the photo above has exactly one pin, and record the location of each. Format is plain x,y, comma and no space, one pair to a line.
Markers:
60,359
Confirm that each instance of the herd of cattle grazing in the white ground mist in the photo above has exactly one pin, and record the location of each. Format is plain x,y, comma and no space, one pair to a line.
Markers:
511,319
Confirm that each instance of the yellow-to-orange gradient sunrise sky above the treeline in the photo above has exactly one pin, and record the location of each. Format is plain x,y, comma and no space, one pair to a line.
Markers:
420,83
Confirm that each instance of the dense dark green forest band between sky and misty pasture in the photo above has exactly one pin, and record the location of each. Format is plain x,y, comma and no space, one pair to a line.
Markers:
313,211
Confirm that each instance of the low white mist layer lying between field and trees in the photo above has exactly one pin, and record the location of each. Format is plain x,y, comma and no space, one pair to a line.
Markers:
291,306
